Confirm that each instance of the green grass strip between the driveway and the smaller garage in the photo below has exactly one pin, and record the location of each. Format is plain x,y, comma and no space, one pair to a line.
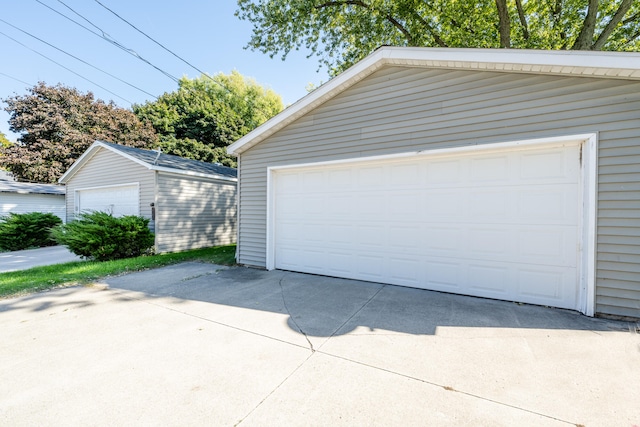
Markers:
83,272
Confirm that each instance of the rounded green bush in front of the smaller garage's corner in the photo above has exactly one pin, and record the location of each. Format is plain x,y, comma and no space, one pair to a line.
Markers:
103,237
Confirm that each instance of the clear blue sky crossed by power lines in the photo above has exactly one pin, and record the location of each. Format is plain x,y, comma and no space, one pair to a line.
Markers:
205,33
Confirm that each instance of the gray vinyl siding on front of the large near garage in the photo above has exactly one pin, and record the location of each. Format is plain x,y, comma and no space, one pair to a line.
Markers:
400,109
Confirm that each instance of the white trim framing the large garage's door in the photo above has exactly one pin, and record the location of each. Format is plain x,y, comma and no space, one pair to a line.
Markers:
588,177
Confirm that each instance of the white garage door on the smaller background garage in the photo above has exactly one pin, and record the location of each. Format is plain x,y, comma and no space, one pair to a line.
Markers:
117,200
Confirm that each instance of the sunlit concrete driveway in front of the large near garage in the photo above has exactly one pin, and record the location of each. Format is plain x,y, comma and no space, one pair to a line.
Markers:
199,344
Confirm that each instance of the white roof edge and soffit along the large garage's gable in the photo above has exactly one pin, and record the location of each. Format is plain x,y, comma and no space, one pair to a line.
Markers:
618,65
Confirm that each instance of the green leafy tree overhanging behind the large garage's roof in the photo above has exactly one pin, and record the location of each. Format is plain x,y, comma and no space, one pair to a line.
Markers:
341,32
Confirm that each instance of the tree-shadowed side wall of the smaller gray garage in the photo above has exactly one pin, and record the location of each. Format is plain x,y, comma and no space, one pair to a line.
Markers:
194,213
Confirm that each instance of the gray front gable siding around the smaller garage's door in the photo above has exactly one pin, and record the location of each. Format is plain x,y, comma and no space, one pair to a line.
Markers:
107,168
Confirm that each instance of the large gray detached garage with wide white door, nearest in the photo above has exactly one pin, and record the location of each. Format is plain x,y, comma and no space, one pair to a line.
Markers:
504,174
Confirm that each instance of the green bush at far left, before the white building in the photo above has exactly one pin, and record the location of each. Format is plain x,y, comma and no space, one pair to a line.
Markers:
28,230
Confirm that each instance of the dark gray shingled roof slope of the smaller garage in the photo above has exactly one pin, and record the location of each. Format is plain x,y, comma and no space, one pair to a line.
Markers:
174,162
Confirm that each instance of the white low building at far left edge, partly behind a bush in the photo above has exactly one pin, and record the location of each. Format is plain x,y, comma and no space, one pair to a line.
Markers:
25,197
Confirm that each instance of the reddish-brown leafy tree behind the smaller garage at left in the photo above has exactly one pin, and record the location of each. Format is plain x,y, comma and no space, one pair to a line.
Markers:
57,124
